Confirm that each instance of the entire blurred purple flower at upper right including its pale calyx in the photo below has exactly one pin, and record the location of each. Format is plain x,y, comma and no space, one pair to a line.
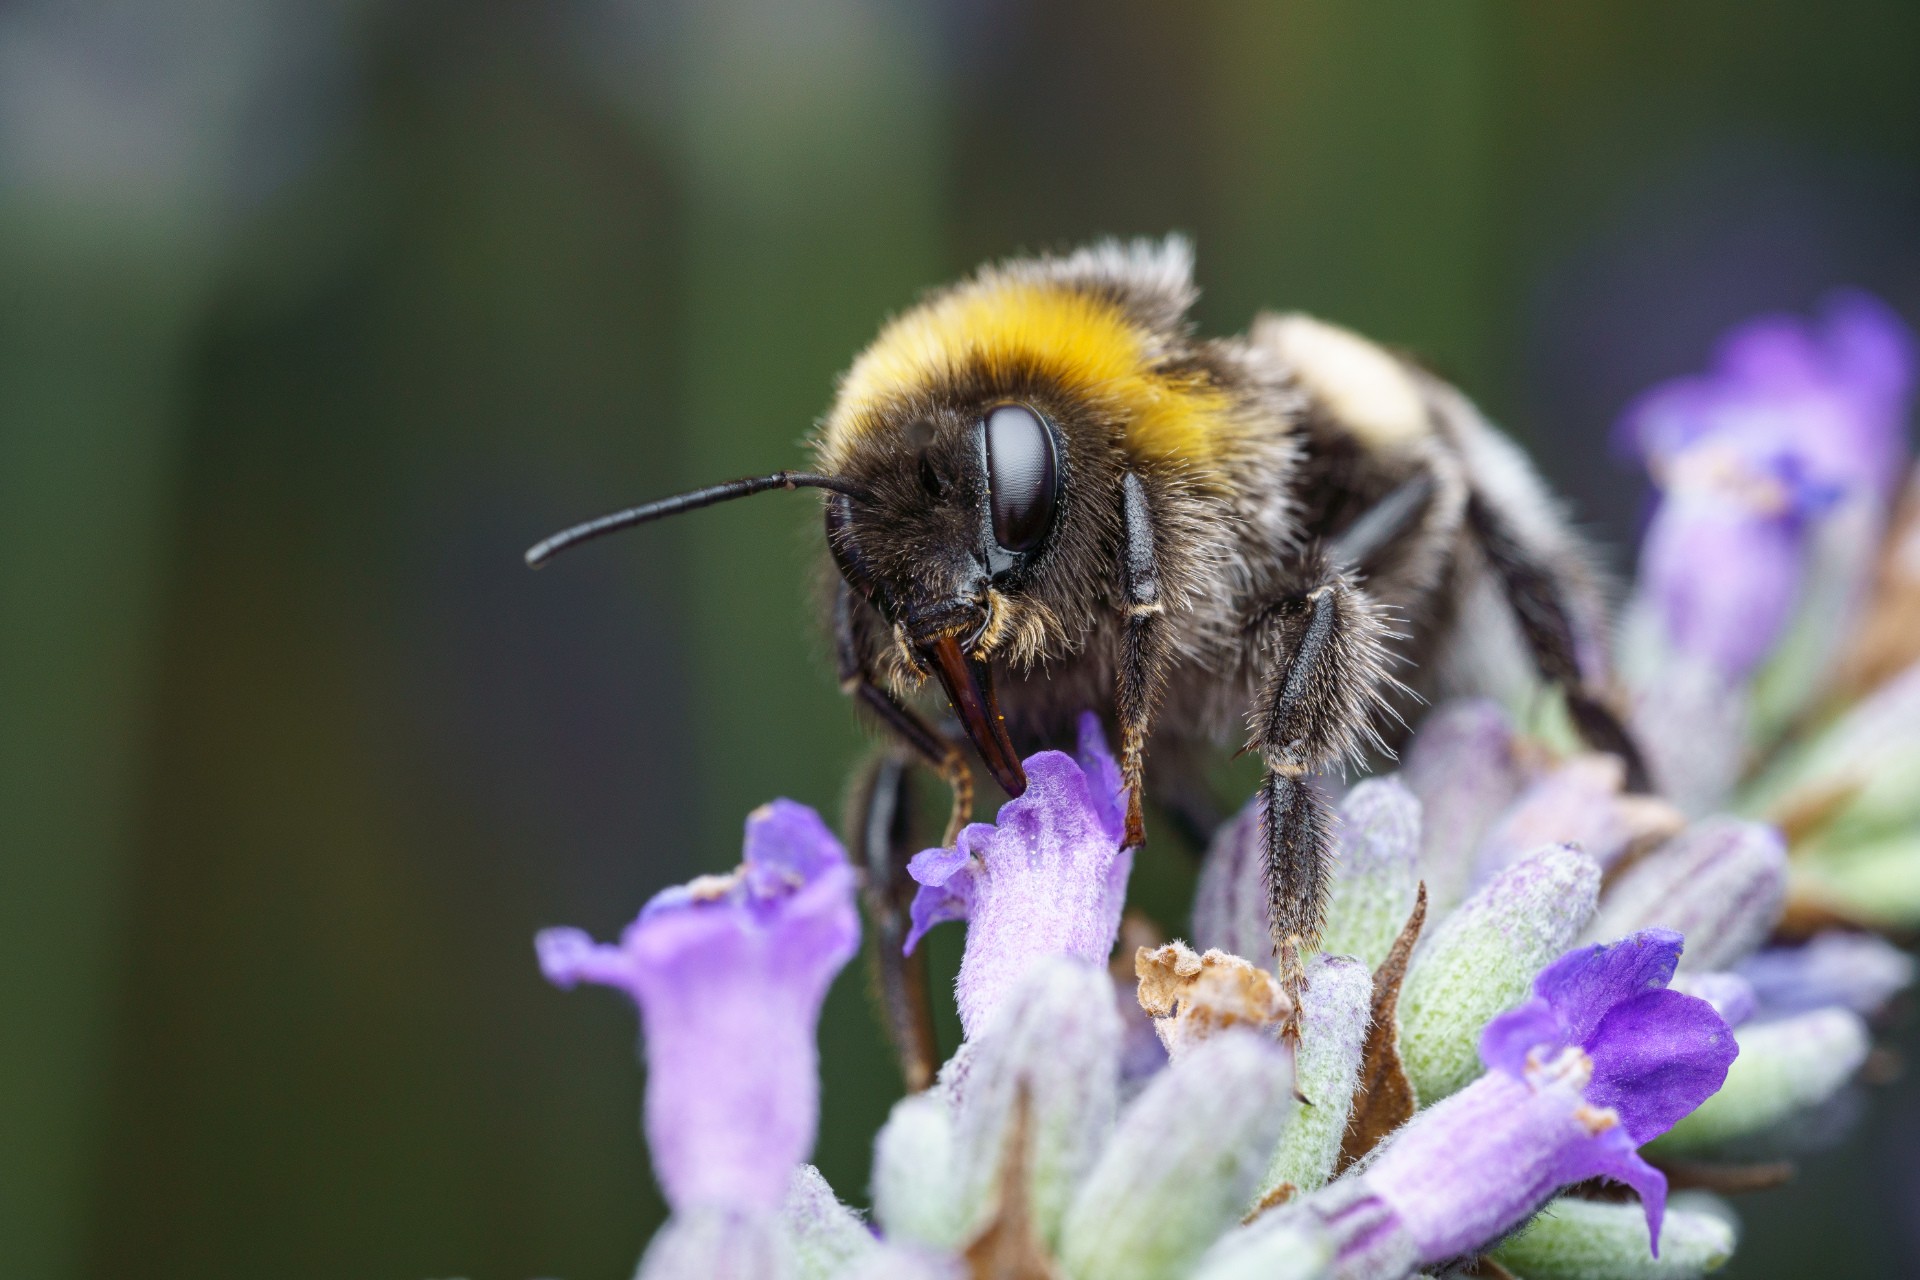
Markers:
1775,477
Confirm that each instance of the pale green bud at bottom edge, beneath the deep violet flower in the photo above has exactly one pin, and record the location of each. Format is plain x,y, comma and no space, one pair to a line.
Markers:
1583,1239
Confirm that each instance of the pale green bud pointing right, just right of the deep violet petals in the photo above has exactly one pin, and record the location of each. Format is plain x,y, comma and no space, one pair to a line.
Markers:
1783,1068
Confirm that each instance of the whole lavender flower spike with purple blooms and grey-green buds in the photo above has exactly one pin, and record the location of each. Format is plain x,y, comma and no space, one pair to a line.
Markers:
1458,1085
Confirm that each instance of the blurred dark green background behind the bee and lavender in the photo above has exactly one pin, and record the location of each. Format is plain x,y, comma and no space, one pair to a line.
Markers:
318,314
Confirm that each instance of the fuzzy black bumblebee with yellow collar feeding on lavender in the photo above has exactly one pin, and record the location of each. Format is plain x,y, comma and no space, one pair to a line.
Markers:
1045,492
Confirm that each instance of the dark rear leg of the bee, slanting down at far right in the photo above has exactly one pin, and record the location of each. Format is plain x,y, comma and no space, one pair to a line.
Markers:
1548,628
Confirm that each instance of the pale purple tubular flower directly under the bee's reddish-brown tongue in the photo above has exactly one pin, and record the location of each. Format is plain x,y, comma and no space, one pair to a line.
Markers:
1047,880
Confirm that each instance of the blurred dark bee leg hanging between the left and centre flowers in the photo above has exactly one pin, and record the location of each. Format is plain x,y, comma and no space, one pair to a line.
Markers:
880,840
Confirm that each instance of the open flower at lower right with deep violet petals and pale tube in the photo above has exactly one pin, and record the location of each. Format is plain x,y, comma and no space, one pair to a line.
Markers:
1602,1060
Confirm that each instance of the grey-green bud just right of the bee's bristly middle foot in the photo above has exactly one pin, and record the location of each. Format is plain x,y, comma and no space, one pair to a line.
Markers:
1376,872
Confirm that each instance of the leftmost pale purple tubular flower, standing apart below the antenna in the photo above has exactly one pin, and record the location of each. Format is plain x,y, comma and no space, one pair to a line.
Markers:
731,974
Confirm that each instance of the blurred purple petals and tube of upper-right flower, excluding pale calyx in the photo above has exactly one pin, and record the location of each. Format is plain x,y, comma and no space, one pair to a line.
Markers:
1794,419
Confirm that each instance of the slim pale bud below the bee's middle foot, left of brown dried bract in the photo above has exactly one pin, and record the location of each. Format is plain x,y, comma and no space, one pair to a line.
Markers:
1333,1030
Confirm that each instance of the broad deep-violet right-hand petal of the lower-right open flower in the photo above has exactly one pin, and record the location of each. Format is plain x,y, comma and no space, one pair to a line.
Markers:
1656,1058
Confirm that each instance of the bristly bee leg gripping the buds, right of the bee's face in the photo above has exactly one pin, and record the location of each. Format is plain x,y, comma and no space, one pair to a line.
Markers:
1326,686
